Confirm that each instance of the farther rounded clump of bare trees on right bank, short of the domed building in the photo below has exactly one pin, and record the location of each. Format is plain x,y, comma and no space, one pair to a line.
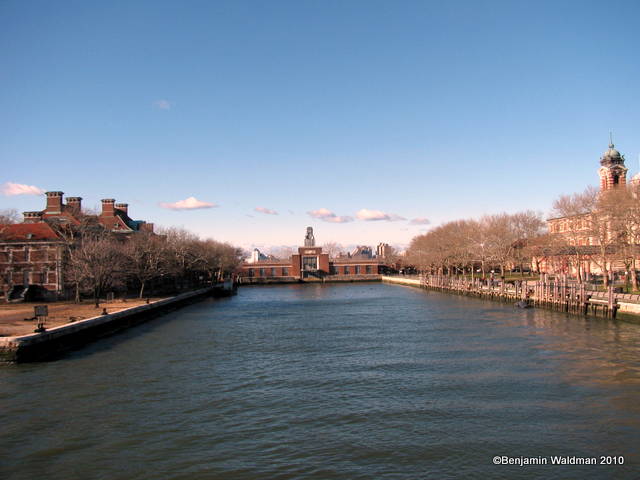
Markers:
493,241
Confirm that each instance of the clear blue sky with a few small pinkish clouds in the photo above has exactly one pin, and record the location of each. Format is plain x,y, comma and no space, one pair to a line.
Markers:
371,121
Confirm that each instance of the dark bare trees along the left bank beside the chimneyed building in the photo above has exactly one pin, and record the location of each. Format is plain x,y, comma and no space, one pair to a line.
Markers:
96,261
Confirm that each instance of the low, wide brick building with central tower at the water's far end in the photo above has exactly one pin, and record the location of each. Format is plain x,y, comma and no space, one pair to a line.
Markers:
310,263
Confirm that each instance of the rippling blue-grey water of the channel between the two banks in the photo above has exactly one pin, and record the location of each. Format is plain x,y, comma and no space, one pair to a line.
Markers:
360,381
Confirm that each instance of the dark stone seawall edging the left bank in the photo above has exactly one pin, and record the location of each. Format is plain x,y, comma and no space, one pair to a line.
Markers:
40,346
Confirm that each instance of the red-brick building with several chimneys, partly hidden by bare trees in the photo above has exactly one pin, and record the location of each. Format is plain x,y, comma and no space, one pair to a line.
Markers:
32,252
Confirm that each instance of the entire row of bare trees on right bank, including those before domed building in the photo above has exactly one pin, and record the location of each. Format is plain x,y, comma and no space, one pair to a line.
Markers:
600,228
